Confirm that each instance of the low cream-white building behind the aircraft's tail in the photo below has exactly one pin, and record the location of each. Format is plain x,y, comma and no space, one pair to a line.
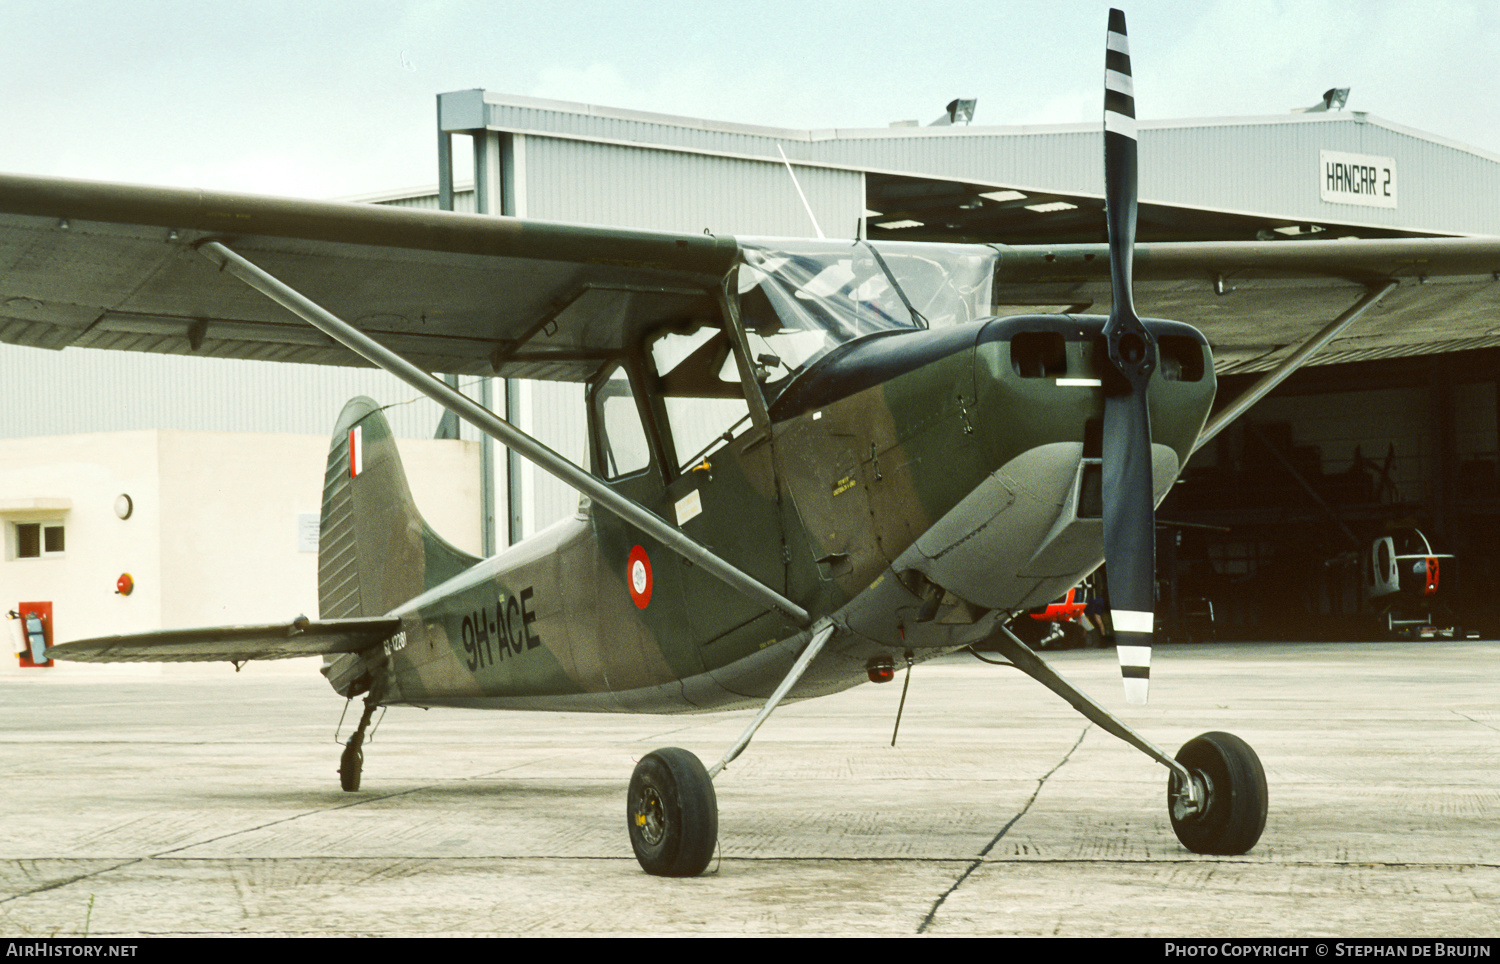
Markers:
214,528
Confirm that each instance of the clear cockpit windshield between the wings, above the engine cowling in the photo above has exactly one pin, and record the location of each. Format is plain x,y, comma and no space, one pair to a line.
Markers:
799,301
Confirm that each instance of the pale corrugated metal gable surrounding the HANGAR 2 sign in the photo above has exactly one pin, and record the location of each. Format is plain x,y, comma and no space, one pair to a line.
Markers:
1253,166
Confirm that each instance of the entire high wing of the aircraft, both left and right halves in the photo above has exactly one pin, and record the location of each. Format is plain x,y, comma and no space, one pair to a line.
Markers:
110,266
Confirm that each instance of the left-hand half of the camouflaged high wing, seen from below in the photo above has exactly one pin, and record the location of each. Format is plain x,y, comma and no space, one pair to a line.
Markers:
112,266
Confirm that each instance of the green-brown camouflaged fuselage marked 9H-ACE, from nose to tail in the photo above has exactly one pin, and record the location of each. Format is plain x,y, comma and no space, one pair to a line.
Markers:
914,486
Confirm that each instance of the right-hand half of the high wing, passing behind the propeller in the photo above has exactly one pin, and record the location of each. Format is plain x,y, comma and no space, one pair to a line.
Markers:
1258,301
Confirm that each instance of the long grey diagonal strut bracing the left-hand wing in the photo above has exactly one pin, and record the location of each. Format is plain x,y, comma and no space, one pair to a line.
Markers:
496,427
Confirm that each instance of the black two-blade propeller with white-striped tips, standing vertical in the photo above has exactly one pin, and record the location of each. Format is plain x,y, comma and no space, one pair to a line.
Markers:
1130,525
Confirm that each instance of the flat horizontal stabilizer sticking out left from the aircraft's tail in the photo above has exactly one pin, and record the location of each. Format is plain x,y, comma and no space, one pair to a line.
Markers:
299,638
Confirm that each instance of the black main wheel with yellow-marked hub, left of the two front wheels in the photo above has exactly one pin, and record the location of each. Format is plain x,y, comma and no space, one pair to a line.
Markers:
673,815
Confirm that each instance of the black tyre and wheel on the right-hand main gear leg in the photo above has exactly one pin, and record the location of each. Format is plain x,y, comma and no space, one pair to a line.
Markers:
1237,795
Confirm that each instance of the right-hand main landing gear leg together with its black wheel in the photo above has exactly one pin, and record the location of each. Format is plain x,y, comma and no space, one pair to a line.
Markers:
1217,789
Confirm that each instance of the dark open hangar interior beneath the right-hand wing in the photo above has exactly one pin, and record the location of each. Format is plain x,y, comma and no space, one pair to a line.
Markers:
1277,522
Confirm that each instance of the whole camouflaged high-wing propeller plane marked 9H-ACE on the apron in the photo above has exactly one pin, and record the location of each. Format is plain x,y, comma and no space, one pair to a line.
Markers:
809,461
